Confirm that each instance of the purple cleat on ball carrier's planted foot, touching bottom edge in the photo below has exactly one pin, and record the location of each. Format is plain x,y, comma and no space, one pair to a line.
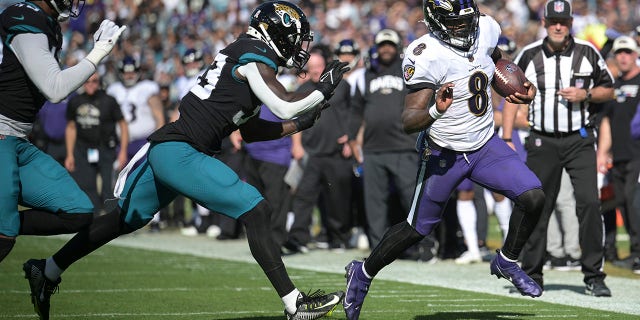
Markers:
357,288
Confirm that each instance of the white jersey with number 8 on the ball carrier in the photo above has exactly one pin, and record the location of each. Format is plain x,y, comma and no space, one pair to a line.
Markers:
429,63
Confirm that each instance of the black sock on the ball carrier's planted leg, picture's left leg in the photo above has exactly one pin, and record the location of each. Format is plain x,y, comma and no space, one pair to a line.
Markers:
394,242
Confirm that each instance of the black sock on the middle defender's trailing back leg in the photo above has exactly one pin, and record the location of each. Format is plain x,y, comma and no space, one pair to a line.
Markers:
102,230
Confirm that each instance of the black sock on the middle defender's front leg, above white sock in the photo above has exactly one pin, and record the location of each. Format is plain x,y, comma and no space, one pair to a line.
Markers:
264,249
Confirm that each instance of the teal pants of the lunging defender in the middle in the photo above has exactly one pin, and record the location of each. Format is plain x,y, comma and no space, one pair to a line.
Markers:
173,168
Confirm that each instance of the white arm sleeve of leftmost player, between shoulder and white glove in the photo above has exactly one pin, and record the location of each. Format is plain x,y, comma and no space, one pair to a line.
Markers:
43,69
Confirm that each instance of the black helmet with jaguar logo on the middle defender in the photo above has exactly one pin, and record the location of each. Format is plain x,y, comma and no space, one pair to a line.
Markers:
285,28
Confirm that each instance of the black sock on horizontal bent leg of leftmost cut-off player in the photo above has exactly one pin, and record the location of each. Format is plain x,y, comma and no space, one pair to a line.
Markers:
44,223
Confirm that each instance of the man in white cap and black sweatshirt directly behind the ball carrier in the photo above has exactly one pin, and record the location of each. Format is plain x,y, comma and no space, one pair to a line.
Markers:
388,154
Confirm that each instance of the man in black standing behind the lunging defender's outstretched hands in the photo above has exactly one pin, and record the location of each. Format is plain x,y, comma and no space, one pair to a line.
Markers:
327,170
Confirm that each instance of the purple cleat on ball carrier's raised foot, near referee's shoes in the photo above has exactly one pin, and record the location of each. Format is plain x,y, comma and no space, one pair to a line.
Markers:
502,268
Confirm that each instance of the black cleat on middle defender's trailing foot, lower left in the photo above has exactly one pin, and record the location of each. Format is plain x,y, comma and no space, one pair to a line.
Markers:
41,287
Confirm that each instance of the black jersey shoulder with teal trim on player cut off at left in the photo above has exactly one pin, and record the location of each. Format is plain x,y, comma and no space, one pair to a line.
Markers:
25,17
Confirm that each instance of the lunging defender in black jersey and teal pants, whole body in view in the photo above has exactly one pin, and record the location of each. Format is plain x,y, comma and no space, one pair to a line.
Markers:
227,97
